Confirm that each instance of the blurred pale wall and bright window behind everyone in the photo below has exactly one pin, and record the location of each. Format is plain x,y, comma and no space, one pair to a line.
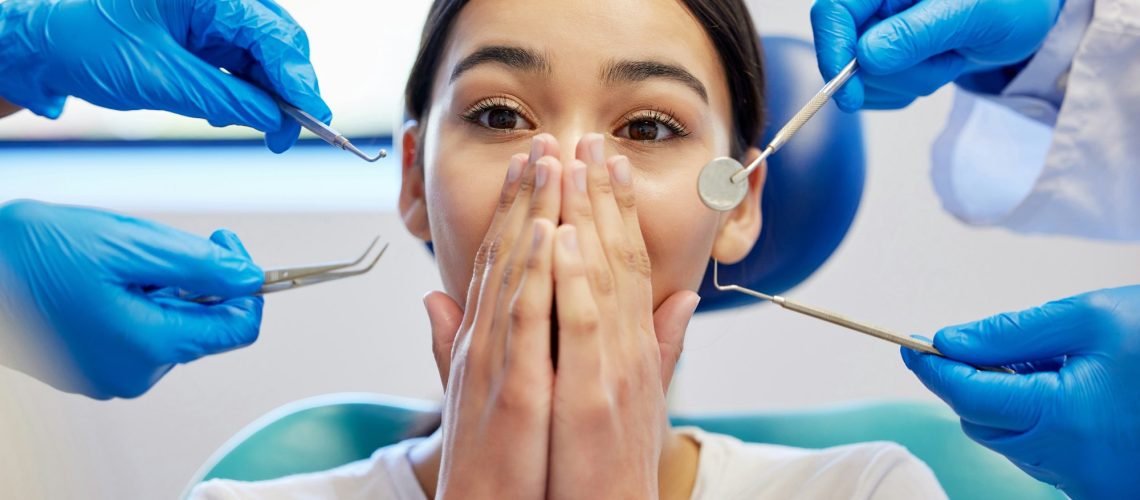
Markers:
906,265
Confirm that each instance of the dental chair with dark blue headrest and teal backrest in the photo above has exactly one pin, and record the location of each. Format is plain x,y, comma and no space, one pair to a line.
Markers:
815,185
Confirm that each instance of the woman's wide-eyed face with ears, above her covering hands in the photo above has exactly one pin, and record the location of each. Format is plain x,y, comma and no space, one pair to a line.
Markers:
641,72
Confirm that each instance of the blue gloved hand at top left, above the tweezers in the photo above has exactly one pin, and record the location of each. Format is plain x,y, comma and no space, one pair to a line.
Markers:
161,55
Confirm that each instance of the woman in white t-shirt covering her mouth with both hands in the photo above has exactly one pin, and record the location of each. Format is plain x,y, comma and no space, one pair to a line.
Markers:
576,273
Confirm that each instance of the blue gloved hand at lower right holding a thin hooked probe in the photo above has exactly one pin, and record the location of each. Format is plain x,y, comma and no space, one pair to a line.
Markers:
1072,415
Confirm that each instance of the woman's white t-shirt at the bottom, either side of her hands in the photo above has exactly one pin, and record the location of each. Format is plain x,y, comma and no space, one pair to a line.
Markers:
728,470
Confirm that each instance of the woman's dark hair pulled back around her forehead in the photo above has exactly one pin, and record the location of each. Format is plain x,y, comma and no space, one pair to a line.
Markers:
728,23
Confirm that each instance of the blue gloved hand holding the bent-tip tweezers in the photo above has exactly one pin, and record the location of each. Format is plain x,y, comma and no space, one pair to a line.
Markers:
93,291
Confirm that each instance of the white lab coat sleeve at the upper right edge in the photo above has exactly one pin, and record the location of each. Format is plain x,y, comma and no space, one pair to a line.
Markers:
1057,152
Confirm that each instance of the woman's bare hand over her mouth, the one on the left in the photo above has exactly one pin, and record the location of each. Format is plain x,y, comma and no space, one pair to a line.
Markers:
495,355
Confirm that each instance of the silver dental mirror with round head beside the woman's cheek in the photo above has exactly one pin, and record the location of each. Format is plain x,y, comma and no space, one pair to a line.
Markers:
722,183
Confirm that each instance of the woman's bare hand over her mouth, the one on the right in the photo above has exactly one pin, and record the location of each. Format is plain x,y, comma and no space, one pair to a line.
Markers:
616,356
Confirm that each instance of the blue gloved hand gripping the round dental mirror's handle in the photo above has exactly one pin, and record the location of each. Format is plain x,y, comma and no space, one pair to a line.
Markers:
911,48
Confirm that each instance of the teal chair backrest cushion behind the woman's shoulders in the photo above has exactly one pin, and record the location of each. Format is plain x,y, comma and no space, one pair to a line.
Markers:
327,432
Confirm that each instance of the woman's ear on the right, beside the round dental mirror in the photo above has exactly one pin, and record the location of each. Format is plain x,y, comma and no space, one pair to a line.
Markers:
740,227
